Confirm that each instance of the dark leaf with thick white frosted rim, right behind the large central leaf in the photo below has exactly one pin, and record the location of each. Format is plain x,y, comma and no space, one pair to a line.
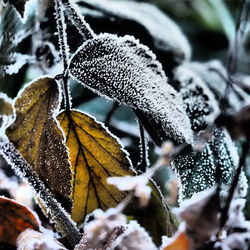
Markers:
199,101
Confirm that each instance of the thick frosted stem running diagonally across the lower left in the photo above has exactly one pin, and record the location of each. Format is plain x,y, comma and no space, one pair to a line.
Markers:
54,209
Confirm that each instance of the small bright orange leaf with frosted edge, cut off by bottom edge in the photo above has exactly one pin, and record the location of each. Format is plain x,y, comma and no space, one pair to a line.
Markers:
180,242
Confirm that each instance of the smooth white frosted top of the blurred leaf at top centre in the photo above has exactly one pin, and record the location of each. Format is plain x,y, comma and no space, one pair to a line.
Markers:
167,35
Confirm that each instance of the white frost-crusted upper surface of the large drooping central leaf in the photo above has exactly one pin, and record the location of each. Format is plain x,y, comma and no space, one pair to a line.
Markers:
123,69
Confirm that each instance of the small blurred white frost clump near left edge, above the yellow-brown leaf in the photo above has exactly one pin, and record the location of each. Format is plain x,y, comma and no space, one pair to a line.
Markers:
20,61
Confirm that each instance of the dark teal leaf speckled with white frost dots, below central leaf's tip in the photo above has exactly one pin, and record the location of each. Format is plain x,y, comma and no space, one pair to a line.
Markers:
197,170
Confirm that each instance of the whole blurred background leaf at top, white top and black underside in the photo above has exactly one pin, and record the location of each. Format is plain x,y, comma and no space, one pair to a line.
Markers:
142,20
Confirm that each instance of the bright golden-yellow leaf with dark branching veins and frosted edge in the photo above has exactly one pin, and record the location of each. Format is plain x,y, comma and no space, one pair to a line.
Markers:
95,155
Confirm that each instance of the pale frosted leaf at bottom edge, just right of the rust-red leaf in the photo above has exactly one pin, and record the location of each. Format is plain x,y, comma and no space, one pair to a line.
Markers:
31,239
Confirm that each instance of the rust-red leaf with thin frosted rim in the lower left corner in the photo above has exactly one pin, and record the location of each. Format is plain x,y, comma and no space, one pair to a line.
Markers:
14,219
